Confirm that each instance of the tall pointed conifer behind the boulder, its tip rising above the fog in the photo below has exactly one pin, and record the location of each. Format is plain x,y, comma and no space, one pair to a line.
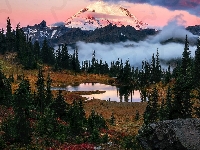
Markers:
182,105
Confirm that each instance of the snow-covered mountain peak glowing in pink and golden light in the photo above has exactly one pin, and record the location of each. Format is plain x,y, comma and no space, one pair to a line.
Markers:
101,14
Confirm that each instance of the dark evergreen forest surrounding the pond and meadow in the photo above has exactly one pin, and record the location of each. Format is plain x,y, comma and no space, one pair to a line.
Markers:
40,119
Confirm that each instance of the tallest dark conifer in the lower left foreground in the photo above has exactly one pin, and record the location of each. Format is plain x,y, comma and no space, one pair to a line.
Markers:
22,100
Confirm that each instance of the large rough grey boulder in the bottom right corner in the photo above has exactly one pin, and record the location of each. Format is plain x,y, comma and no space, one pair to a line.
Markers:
178,134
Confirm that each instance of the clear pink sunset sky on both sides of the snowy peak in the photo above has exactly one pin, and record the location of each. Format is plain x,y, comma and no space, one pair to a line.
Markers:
30,12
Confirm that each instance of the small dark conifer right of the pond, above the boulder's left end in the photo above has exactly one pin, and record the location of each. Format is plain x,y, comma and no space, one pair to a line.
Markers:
151,112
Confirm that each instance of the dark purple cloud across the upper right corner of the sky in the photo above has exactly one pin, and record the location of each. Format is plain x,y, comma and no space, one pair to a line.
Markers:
191,6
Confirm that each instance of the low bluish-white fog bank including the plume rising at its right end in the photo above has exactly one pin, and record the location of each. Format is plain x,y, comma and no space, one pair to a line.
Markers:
143,50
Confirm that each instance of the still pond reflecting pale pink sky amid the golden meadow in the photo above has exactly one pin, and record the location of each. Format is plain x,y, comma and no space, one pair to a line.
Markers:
112,92
